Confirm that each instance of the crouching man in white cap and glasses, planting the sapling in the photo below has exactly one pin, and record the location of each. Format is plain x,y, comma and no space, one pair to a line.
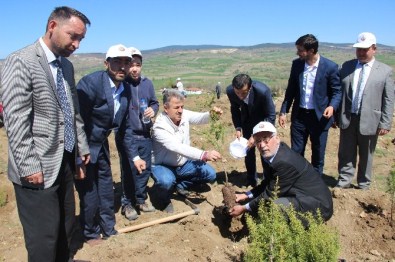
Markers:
300,185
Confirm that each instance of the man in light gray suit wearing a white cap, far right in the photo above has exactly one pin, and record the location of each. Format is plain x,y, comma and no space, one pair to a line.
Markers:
366,111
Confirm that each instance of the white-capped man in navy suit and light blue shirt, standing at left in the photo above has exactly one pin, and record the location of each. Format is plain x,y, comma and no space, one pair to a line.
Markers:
104,103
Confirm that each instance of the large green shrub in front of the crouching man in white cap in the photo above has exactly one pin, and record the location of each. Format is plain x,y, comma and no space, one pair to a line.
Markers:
279,235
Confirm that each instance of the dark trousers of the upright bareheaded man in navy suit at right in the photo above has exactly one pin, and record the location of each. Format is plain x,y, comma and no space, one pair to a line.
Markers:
306,125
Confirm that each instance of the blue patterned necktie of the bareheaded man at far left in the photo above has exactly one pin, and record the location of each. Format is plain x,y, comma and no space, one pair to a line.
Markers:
69,136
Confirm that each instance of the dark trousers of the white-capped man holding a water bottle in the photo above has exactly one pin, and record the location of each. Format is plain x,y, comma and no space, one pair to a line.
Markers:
134,185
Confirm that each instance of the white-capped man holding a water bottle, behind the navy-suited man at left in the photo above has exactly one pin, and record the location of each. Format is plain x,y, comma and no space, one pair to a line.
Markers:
136,168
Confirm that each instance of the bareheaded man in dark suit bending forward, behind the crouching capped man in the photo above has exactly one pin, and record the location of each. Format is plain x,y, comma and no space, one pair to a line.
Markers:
250,103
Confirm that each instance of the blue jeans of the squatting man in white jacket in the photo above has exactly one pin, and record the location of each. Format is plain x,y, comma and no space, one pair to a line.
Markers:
192,172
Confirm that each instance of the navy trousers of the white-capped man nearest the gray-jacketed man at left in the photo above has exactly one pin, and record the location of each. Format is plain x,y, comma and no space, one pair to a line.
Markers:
97,199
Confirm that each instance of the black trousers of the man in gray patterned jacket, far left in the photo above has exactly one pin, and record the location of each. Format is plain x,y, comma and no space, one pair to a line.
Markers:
47,215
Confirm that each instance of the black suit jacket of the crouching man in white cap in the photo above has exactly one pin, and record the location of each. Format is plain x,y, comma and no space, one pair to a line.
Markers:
298,181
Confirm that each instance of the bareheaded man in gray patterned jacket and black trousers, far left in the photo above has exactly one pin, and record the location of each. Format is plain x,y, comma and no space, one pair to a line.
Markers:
45,134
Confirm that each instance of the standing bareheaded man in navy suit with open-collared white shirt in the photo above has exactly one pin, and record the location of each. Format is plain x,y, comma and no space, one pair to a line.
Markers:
314,92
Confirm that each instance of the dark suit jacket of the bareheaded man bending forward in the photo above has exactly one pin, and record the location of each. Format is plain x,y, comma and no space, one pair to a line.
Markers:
260,107
